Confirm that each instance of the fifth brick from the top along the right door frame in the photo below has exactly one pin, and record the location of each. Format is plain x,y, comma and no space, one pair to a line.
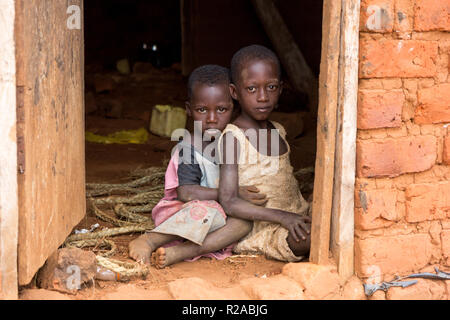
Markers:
377,209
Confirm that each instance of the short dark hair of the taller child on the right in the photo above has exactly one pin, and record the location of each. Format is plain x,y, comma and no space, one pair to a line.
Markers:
249,53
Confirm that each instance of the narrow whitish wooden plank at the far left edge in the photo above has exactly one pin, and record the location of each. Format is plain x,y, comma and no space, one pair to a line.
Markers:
9,211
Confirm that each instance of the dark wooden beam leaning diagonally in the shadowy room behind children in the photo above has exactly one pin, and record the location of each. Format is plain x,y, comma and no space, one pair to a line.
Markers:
295,65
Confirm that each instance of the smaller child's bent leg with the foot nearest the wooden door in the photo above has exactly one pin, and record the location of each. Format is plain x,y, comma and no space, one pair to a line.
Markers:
141,248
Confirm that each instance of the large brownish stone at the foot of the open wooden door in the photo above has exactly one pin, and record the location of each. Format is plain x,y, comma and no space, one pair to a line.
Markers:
67,269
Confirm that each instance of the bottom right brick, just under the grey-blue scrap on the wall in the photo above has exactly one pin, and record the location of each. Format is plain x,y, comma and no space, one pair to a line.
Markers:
422,290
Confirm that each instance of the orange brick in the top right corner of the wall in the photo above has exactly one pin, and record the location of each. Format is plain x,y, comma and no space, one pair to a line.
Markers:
432,15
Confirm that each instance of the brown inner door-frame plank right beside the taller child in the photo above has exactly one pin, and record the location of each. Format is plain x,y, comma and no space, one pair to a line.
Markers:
326,133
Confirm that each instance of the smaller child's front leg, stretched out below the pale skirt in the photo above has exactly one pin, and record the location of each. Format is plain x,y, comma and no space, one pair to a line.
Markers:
234,230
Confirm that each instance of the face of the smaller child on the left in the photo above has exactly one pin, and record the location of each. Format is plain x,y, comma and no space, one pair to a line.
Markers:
211,105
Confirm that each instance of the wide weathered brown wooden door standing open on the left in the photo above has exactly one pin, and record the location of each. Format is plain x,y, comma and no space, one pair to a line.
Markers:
50,59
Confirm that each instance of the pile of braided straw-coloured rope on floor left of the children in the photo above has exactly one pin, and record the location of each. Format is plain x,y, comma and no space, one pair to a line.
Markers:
148,189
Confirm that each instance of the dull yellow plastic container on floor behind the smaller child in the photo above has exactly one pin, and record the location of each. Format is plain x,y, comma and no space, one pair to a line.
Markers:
165,119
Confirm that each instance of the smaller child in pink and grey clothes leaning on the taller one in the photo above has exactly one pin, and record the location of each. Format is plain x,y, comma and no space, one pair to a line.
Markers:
189,210
